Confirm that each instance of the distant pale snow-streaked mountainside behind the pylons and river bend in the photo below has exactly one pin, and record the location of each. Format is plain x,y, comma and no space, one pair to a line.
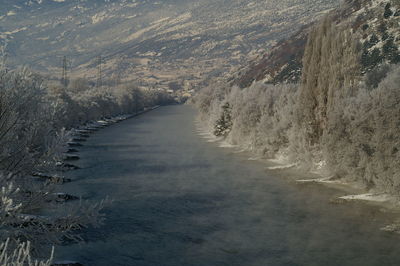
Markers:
155,43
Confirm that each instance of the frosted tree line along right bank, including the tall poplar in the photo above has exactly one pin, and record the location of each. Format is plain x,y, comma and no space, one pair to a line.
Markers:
339,119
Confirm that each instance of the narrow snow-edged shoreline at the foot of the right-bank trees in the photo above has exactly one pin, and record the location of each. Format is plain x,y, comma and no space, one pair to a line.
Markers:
348,191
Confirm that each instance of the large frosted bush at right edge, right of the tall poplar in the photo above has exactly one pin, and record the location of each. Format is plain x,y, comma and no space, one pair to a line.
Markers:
362,139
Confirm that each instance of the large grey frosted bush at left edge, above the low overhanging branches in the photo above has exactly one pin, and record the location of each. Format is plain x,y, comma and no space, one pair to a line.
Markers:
24,120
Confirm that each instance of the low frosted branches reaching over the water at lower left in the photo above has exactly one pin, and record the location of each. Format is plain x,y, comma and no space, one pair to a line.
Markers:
20,199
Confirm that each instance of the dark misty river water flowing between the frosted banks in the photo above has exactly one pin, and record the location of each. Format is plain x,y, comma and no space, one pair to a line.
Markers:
179,200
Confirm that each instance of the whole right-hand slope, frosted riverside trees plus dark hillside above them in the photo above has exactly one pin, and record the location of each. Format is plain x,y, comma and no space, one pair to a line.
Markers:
325,99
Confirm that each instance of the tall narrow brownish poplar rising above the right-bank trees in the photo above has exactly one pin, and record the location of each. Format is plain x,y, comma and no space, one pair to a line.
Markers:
331,70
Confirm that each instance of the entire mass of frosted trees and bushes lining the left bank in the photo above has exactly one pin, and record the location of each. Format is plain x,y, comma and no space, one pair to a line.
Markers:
34,123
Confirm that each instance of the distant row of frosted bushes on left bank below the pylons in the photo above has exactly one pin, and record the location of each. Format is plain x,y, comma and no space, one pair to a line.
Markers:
81,102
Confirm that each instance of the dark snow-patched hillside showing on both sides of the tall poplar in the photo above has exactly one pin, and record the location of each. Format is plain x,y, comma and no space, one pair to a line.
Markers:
376,23
